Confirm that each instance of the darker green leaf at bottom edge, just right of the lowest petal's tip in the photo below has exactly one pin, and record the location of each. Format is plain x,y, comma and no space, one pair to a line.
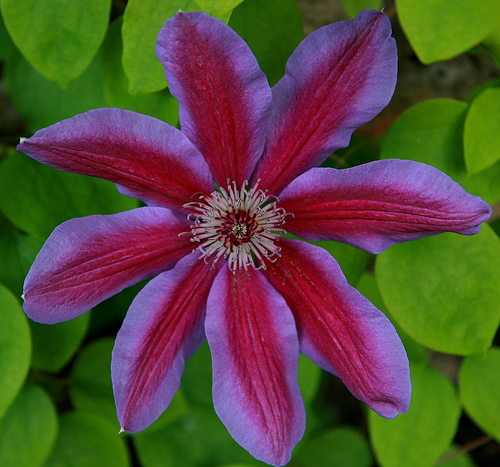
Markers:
337,447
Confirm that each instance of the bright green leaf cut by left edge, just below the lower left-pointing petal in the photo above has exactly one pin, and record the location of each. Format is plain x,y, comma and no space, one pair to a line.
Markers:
15,345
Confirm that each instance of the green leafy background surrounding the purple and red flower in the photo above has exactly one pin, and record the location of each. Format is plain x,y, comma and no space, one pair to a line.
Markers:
62,57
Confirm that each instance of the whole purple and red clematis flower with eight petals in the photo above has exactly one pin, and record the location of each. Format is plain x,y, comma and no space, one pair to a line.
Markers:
219,195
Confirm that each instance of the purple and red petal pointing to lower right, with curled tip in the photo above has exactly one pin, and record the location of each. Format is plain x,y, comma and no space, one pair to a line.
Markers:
340,330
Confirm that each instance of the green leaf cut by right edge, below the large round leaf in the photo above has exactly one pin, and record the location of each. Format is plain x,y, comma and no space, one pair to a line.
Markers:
479,382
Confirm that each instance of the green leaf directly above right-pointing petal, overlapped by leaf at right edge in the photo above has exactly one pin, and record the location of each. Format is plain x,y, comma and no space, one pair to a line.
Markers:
431,132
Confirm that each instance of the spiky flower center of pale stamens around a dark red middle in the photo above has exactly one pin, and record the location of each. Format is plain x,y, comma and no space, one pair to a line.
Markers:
241,226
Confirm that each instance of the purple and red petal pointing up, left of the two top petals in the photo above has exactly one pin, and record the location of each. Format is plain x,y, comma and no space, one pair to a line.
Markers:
224,97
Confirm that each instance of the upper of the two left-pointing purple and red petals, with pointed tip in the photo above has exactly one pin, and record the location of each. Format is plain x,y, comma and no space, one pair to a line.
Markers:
148,159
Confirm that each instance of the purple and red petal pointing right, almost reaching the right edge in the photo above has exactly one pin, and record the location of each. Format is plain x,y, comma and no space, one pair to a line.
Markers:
376,205
